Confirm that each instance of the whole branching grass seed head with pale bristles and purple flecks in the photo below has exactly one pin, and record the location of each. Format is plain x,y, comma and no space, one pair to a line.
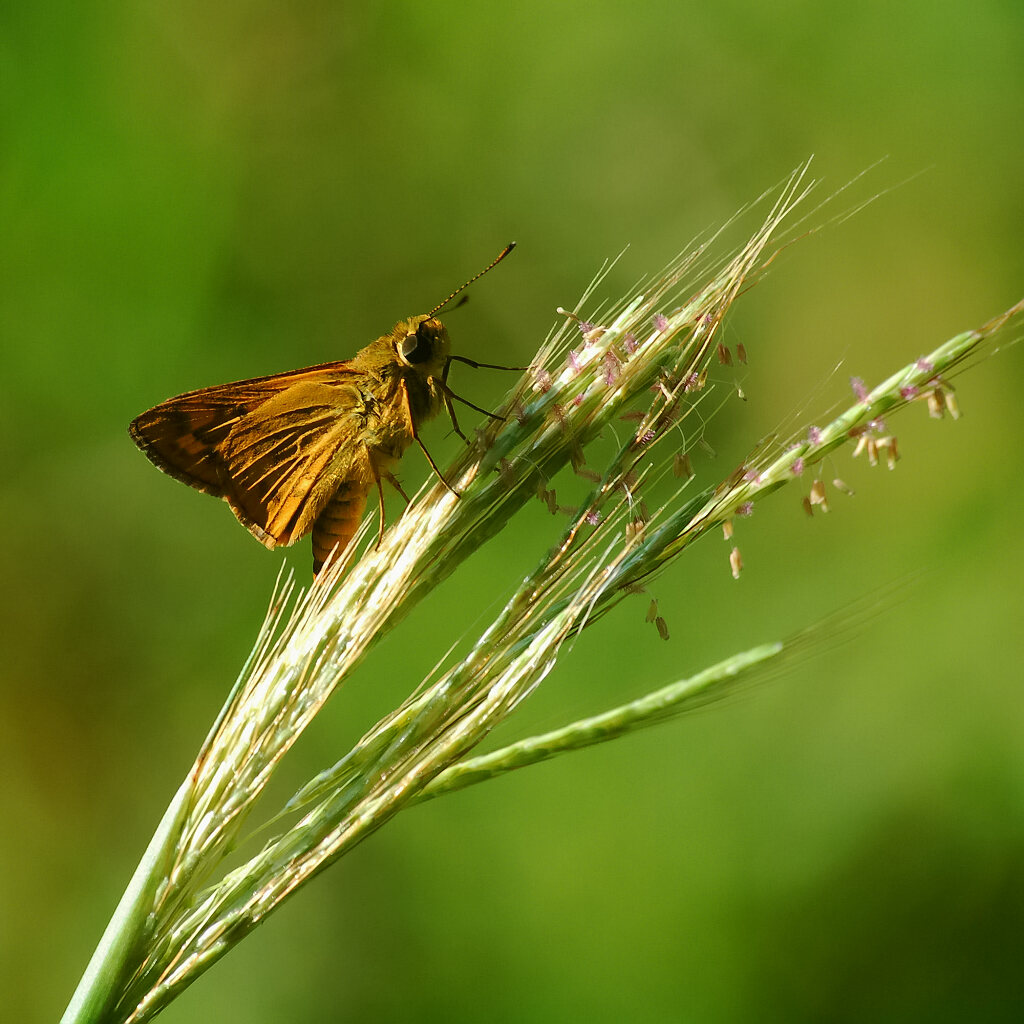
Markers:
646,358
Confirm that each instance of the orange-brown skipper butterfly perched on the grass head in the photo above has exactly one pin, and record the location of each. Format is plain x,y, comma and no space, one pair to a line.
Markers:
297,453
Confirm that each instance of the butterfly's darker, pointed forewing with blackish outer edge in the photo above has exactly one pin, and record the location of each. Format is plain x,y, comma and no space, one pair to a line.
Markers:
183,436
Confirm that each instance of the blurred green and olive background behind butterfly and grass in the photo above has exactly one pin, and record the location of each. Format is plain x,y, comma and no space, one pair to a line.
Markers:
198,193
